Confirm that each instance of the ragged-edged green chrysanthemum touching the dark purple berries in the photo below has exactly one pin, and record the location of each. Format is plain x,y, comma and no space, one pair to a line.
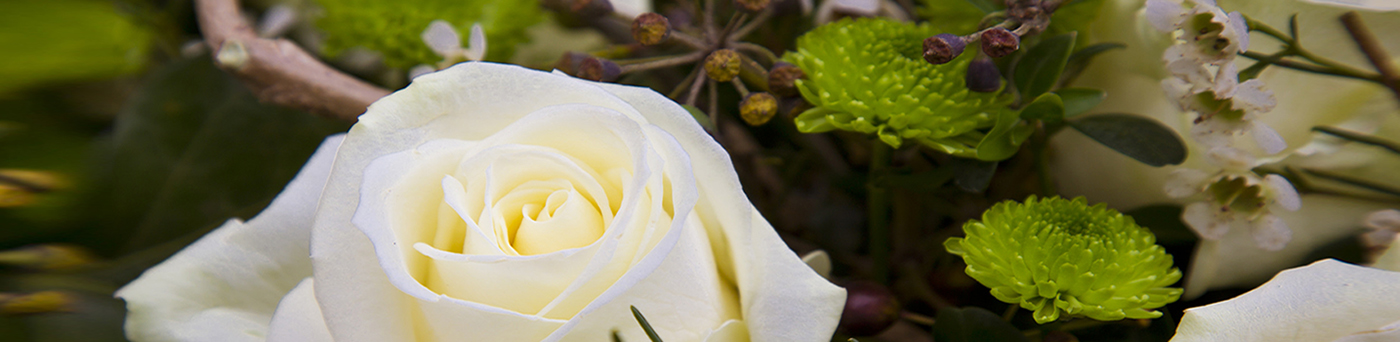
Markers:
870,76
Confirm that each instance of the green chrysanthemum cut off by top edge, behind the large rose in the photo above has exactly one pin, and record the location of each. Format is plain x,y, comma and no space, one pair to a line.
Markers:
395,27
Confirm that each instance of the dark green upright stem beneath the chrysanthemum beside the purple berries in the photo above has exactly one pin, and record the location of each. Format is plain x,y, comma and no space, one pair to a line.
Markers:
877,203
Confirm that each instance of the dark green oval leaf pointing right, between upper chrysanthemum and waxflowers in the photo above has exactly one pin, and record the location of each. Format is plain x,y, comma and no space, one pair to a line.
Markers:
1136,137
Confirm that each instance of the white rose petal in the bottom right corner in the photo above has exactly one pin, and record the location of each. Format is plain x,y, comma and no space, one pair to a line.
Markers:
1321,302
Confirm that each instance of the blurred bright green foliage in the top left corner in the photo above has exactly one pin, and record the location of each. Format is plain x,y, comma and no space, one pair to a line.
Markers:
48,41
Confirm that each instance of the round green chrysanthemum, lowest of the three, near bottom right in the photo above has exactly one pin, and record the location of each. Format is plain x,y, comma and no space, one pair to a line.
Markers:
1060,257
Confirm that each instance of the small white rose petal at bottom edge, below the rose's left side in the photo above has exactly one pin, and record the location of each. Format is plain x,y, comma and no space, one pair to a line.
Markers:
299,317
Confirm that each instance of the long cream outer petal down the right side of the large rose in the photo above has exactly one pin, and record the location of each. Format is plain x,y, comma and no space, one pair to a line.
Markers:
783,299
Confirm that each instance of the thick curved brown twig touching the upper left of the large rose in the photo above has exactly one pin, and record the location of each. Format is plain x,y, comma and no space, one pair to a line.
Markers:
278,71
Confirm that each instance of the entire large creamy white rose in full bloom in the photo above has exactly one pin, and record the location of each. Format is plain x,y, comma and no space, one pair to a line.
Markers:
491,203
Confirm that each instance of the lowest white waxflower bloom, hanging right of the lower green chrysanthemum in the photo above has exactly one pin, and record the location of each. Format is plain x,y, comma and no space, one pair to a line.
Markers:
1235,196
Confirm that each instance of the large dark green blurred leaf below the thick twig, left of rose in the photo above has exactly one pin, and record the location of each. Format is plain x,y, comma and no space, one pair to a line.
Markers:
192,151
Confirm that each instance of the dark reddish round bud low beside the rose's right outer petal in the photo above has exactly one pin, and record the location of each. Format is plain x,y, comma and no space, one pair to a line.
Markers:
870,309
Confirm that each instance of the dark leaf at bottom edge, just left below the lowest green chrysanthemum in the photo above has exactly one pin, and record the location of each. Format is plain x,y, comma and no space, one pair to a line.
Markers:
974,324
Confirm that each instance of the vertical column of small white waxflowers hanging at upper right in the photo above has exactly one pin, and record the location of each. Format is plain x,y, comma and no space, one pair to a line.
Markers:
1206,82
